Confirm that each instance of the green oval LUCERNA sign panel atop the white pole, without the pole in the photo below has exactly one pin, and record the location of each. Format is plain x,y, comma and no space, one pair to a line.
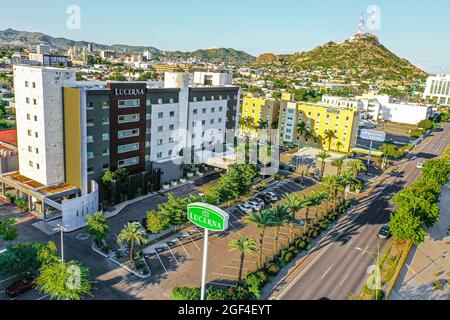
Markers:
208,217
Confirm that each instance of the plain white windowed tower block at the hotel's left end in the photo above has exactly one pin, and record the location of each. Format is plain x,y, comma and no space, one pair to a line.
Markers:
39,112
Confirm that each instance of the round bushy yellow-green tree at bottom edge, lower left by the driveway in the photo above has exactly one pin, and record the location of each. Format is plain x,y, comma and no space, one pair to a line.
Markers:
64,281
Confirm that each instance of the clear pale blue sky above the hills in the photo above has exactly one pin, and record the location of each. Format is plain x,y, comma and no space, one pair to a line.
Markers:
417,30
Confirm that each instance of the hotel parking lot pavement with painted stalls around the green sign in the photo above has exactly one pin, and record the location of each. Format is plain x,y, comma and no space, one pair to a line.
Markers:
183,251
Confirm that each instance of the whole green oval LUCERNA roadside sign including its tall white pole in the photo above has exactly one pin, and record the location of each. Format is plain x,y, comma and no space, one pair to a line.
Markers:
211,218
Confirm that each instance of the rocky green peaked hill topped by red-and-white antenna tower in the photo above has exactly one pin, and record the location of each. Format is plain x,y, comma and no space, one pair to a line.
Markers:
364,57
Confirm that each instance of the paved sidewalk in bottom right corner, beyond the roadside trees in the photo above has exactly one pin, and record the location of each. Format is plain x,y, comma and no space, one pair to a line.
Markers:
428,265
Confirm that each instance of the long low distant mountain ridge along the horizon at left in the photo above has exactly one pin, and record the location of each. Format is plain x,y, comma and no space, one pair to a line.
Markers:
24,38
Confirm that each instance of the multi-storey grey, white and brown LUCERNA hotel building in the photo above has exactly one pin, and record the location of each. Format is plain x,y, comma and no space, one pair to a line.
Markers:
71,132
